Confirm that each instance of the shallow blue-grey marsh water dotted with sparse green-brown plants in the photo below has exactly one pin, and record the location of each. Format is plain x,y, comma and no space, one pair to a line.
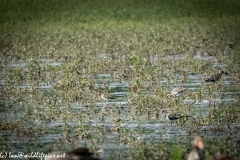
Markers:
112,126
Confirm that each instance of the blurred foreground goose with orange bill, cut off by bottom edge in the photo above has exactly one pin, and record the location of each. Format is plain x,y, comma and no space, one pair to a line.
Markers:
198,152
